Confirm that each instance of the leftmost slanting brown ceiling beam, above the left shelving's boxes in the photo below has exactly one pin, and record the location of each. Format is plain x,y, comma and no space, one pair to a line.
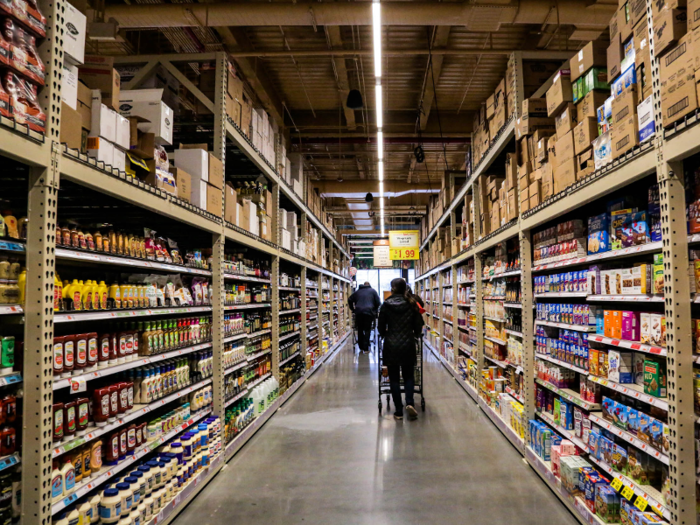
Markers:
234,39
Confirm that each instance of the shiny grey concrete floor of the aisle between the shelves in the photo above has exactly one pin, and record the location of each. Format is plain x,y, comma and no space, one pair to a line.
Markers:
326,458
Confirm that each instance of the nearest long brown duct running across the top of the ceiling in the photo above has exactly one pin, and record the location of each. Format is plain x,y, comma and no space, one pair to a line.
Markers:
474,16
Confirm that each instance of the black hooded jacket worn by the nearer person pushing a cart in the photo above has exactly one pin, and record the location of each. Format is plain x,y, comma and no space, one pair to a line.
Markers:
399,324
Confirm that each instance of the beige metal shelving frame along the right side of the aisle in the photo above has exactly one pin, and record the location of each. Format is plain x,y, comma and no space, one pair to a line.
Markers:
664,156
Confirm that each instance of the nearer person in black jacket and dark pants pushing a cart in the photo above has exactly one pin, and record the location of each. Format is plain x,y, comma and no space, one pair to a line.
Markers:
400,323
